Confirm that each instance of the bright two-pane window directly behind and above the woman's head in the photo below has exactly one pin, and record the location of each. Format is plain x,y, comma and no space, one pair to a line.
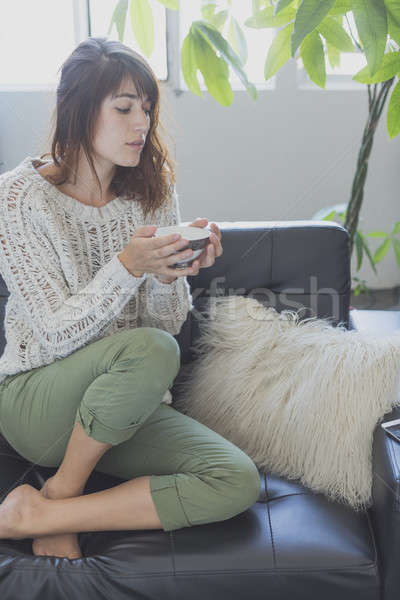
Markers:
33,48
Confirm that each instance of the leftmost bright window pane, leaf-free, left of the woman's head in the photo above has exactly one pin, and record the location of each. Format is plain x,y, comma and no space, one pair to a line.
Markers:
32,45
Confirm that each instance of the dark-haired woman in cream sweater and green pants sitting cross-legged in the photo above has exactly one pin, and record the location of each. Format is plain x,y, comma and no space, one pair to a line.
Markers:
94,304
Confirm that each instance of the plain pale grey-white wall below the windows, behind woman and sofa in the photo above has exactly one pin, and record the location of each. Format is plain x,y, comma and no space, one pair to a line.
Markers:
282,157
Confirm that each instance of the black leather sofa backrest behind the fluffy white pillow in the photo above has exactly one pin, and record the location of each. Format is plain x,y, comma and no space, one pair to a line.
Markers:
288,265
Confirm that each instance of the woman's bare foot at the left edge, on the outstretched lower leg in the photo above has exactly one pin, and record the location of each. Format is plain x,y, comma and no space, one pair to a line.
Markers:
22,506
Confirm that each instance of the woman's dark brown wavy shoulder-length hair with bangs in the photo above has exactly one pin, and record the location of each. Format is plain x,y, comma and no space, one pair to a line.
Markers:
95,69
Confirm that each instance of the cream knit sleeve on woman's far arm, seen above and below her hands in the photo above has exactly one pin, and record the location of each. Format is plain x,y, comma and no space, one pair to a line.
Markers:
166,305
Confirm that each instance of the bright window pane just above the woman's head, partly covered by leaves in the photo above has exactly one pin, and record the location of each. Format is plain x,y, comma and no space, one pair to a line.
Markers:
101,12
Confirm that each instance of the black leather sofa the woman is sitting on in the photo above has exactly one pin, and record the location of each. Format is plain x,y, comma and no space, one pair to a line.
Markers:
292,544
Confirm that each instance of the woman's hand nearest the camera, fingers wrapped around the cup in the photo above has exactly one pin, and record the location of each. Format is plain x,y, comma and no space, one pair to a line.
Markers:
147,254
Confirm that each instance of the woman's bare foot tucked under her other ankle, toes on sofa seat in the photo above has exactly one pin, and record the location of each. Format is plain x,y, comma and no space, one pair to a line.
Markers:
62,544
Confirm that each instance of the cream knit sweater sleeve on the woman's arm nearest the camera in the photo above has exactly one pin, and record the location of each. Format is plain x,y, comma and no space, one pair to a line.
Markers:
31,269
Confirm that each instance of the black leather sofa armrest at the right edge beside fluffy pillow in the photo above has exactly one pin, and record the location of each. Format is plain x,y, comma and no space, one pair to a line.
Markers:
385,512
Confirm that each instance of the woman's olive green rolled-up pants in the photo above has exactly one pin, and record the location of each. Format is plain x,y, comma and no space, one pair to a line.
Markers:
114,388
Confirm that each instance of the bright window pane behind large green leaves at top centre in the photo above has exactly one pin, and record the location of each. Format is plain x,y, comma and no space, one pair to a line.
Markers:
258,43
